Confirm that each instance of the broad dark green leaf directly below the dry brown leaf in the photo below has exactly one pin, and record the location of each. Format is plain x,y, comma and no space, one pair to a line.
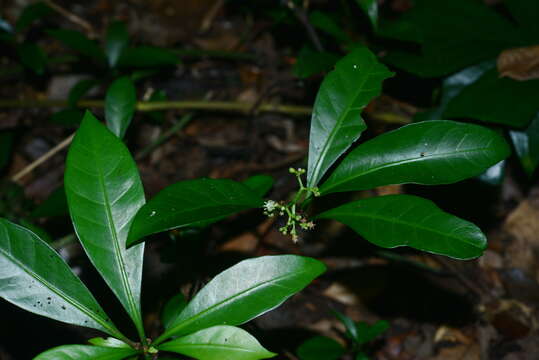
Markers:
496,100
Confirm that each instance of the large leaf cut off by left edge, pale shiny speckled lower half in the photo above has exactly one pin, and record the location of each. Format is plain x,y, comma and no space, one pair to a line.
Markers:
34,277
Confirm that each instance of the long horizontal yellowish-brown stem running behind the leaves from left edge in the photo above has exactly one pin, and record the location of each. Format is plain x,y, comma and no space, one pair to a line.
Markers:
164,105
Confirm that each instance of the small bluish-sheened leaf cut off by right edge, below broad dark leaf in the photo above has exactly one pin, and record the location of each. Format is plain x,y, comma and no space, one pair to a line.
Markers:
526,145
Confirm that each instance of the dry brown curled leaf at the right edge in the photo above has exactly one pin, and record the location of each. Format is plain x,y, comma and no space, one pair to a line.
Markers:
519,63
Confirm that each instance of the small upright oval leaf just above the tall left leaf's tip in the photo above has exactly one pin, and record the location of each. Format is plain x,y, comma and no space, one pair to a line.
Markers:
120,104
